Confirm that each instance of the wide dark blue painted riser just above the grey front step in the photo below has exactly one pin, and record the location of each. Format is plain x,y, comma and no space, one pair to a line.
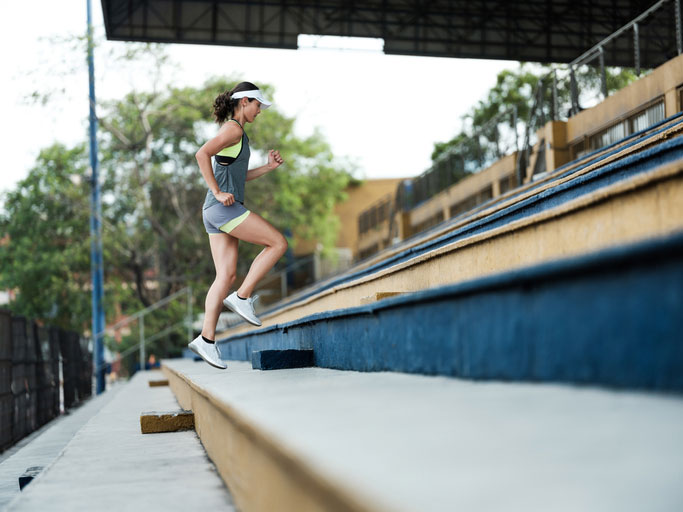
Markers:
612,318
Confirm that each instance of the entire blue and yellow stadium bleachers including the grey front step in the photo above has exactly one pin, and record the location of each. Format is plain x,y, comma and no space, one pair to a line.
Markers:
547,317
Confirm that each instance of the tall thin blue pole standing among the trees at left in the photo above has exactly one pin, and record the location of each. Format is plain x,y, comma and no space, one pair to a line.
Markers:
96,269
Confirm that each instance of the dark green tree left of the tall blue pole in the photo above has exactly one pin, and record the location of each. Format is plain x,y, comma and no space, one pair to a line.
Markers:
45,250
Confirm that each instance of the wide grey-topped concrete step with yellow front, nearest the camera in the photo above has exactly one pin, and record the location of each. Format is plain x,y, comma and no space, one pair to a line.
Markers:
313,439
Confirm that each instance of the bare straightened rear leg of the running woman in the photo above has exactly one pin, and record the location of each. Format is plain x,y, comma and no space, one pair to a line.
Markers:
224,253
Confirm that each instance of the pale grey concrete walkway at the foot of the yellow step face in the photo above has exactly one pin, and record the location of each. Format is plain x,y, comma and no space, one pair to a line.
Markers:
110,465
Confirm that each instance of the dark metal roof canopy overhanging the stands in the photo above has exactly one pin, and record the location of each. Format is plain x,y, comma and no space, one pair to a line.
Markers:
533,30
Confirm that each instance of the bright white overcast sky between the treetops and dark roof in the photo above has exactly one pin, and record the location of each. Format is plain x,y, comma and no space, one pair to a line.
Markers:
382,112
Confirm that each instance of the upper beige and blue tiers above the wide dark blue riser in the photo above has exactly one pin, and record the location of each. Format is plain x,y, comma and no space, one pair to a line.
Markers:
632,193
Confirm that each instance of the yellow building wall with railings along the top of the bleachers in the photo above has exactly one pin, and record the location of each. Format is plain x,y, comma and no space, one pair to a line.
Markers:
643,103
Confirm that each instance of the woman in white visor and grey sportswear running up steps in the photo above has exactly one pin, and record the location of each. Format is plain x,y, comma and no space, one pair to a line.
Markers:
227,220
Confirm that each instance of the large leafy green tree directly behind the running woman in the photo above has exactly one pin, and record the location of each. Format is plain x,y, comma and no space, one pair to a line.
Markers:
148,146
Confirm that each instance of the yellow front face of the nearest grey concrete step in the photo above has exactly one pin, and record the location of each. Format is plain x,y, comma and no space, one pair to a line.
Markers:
262,475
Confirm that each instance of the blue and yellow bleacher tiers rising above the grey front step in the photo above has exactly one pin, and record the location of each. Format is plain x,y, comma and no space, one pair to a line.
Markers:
621,201
